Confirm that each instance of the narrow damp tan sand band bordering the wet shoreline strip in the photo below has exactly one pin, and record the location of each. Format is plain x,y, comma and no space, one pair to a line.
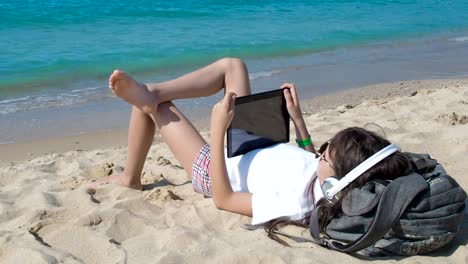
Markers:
16,152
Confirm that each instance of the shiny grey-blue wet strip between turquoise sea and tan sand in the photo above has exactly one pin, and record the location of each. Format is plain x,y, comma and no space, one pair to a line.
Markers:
315,74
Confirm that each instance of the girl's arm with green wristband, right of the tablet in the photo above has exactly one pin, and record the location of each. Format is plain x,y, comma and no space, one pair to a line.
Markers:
294,110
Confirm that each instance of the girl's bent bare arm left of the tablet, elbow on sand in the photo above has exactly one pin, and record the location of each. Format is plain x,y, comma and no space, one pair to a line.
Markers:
223,195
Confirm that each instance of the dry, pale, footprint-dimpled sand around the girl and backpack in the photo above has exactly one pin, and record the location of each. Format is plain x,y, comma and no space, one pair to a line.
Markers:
49,216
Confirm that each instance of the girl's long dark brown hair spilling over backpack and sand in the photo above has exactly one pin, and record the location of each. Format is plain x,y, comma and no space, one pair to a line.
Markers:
347,149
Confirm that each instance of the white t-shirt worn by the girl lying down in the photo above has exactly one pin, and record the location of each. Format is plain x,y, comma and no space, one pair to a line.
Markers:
278,178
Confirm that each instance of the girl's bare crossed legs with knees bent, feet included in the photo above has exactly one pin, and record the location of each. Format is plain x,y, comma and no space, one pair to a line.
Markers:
183,139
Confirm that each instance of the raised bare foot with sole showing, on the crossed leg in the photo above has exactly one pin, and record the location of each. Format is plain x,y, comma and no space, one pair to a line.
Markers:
132,92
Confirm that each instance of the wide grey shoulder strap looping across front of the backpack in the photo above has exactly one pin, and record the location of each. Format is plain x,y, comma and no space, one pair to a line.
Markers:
393,202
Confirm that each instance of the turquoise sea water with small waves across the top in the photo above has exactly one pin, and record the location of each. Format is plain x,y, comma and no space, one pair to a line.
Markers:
56,54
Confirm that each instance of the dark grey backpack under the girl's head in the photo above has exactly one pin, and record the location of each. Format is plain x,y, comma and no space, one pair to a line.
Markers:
413,214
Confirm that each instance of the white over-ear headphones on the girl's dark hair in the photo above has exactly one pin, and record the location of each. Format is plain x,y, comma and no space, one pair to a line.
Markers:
332,186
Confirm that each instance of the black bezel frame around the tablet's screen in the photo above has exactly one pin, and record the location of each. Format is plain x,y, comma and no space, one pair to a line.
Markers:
252,99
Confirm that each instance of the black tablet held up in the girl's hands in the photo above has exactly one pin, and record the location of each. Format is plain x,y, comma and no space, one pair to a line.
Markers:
260,120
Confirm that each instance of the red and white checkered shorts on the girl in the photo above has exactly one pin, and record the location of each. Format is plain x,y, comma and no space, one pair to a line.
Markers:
201,182
